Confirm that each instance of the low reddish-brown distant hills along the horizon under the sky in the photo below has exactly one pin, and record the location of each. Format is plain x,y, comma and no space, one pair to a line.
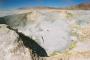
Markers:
83,6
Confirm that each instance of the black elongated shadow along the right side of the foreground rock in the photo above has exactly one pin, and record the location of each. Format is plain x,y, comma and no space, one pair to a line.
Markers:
29,43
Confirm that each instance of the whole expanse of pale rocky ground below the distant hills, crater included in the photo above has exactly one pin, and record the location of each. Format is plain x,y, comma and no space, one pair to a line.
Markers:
50,33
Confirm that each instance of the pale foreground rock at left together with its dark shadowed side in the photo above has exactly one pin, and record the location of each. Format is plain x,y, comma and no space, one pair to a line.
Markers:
17,46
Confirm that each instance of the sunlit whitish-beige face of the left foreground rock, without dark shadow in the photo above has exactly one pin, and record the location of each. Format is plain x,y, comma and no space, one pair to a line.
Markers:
11,46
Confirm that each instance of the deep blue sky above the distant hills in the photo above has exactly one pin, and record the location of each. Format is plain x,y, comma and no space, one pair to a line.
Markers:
12,4
